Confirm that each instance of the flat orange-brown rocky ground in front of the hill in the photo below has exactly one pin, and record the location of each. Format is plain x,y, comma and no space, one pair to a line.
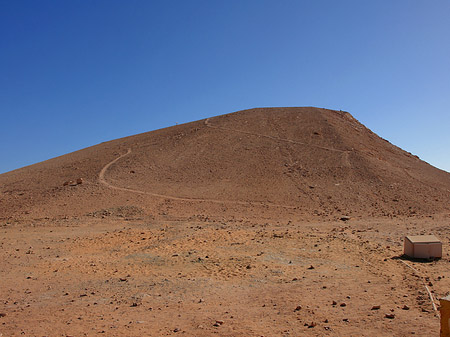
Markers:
132,277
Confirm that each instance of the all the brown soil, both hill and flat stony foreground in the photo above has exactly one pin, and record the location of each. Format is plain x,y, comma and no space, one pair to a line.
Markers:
228,226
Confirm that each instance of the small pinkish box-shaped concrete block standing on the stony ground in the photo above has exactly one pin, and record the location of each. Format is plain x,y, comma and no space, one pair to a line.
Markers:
423,247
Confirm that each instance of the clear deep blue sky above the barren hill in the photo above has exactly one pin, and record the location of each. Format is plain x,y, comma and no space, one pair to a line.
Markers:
77,73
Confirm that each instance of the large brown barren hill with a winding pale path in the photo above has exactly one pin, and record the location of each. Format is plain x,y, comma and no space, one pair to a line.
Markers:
267,163
